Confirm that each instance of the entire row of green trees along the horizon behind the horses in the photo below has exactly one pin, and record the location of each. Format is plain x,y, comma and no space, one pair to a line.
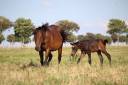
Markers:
23,28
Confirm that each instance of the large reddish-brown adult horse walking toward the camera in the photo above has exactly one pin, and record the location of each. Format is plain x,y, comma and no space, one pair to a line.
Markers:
48,38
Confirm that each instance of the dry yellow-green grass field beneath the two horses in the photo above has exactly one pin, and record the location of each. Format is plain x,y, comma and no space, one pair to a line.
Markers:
21,66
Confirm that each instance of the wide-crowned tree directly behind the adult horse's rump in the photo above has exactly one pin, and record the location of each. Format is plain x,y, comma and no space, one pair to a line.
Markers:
69,27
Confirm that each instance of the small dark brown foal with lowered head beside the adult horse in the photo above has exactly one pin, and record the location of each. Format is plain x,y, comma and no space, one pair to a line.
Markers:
88,46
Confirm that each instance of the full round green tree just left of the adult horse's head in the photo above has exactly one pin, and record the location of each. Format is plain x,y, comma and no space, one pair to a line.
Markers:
23,30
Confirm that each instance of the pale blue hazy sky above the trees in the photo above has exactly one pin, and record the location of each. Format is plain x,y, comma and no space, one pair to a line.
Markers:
91,15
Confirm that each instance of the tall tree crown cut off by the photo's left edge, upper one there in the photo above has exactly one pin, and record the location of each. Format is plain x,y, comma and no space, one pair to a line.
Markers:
4,23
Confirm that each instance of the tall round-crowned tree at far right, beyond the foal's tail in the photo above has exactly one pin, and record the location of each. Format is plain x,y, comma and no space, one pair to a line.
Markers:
116,27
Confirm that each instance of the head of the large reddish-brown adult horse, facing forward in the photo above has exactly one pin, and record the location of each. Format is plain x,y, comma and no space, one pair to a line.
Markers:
39,36
